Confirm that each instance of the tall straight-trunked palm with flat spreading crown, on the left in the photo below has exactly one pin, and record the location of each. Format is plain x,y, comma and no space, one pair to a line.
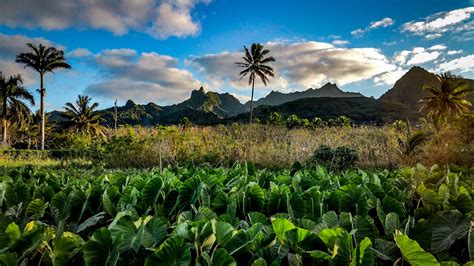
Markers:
43,59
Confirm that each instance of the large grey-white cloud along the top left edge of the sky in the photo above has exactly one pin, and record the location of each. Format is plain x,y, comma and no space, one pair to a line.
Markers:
159,18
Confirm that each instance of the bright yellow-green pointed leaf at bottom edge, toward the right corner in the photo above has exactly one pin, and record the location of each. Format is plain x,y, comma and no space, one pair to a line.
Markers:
412,252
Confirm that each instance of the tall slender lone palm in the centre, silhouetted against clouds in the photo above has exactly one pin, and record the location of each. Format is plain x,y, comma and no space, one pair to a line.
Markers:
255,65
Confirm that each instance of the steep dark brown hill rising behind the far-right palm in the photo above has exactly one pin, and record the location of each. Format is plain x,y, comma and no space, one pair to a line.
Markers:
408,89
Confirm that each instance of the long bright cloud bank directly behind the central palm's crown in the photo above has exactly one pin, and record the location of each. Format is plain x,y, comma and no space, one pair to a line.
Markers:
299,65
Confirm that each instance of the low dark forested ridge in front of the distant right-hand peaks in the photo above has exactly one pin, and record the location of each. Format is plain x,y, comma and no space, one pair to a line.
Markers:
359,109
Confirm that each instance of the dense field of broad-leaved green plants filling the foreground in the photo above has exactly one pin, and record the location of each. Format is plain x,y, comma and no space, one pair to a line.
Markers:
238,215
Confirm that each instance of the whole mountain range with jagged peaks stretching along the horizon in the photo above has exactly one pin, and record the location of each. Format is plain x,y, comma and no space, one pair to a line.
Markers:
208,108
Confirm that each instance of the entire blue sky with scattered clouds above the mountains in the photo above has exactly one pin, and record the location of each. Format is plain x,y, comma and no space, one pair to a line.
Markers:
160,50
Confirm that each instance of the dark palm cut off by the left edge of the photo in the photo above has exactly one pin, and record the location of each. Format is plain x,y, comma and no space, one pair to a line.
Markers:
12,94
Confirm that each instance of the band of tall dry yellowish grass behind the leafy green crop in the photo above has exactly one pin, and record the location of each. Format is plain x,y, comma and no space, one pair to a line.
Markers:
264,145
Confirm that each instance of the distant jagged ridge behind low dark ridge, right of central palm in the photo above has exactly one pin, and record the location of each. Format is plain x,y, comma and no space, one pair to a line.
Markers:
328,90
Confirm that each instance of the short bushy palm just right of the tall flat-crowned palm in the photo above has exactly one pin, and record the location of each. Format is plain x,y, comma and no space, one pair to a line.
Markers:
81,118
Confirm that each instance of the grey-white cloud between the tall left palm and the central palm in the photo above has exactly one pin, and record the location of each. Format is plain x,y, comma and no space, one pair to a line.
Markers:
145,77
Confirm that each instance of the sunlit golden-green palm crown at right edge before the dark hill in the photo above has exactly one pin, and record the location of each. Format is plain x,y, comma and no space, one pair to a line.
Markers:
448,98
